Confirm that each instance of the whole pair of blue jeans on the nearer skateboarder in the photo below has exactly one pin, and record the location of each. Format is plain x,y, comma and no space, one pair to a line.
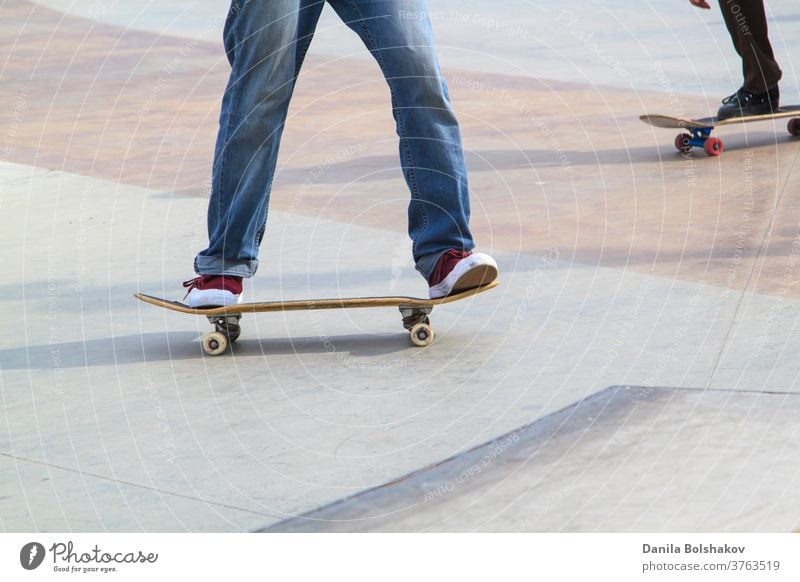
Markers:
266,42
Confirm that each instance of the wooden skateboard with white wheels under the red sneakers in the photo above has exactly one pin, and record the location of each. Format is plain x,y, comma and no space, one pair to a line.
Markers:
414,310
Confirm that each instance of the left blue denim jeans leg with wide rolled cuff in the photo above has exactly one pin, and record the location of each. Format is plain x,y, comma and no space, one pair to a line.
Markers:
265,42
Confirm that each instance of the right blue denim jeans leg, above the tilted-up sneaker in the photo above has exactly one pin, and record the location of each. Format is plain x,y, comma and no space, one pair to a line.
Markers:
398,34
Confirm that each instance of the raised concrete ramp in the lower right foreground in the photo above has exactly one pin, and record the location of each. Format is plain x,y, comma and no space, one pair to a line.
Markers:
626,459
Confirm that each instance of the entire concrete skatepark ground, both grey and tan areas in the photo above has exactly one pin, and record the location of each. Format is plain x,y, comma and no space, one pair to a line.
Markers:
635,370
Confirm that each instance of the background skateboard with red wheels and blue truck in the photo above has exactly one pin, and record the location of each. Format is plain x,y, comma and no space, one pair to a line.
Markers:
700,129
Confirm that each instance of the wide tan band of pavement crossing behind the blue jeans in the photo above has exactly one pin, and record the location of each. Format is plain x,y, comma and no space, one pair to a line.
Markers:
554,165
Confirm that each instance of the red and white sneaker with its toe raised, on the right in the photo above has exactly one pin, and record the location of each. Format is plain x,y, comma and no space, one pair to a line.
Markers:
458,271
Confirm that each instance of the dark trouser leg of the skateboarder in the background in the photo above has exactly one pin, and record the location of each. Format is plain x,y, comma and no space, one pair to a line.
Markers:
747,24
